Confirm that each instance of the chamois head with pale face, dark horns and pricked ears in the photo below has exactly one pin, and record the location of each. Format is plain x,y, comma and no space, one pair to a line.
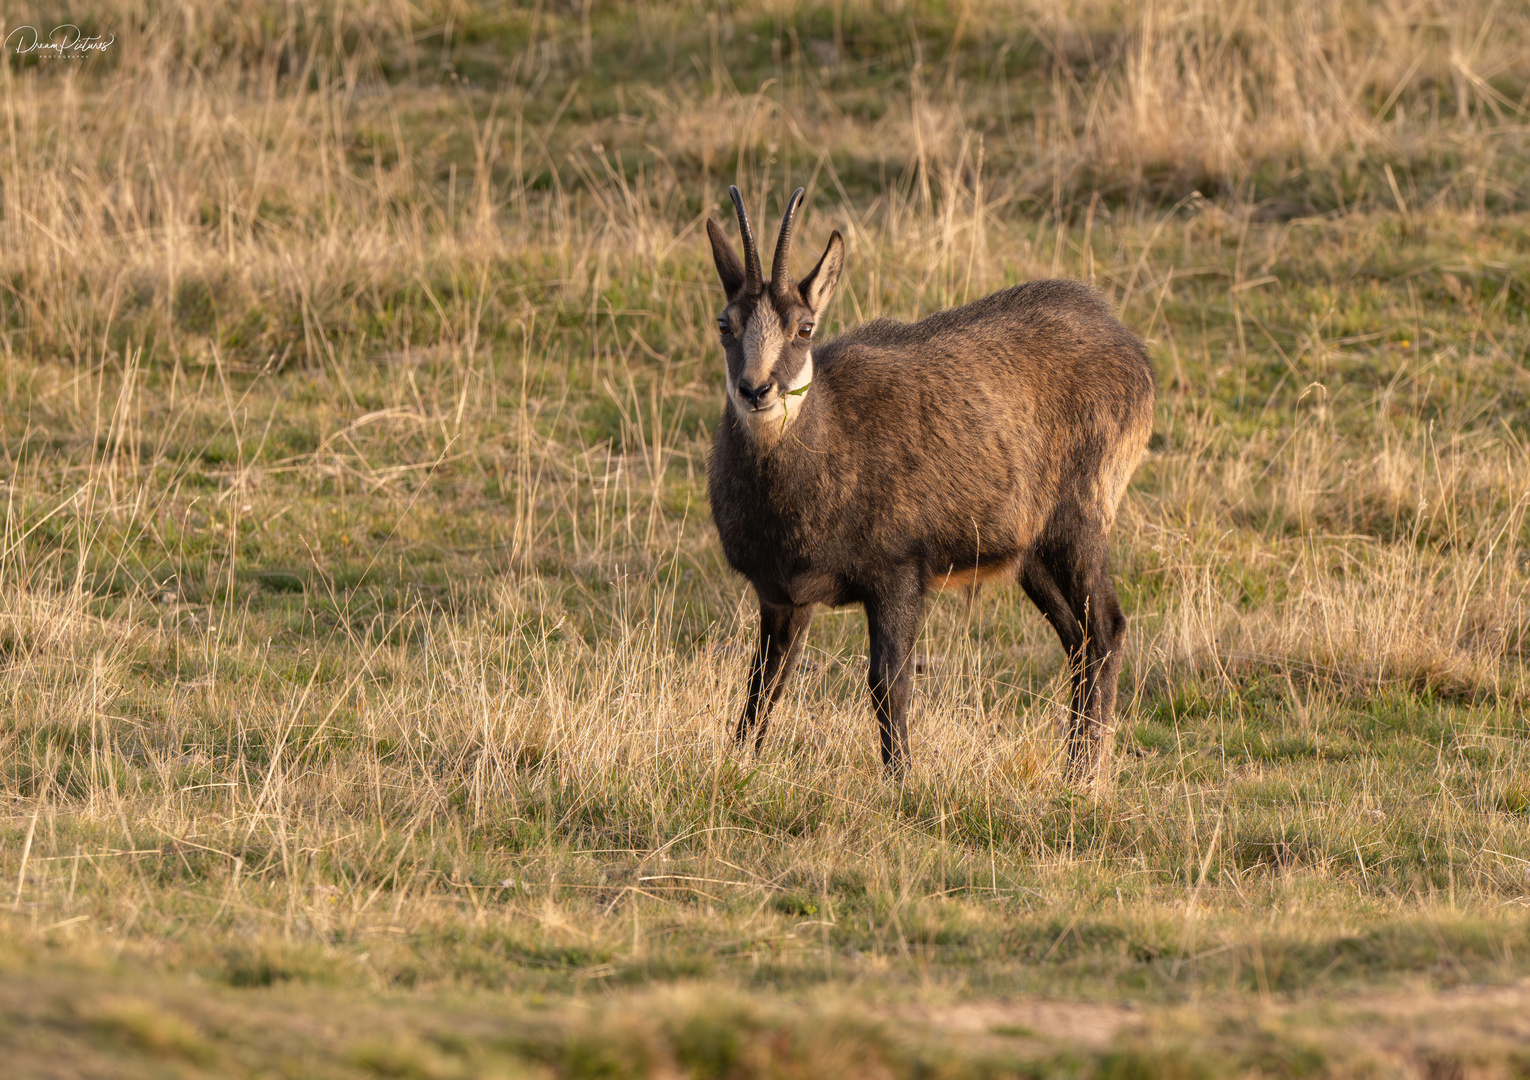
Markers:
767,328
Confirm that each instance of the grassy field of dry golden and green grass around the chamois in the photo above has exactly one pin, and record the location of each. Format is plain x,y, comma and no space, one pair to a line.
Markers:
368,657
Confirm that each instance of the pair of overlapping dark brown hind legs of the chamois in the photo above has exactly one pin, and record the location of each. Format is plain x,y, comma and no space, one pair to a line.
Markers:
1075,593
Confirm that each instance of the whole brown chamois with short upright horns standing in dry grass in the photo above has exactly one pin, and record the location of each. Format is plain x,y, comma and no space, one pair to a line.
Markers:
985,443
